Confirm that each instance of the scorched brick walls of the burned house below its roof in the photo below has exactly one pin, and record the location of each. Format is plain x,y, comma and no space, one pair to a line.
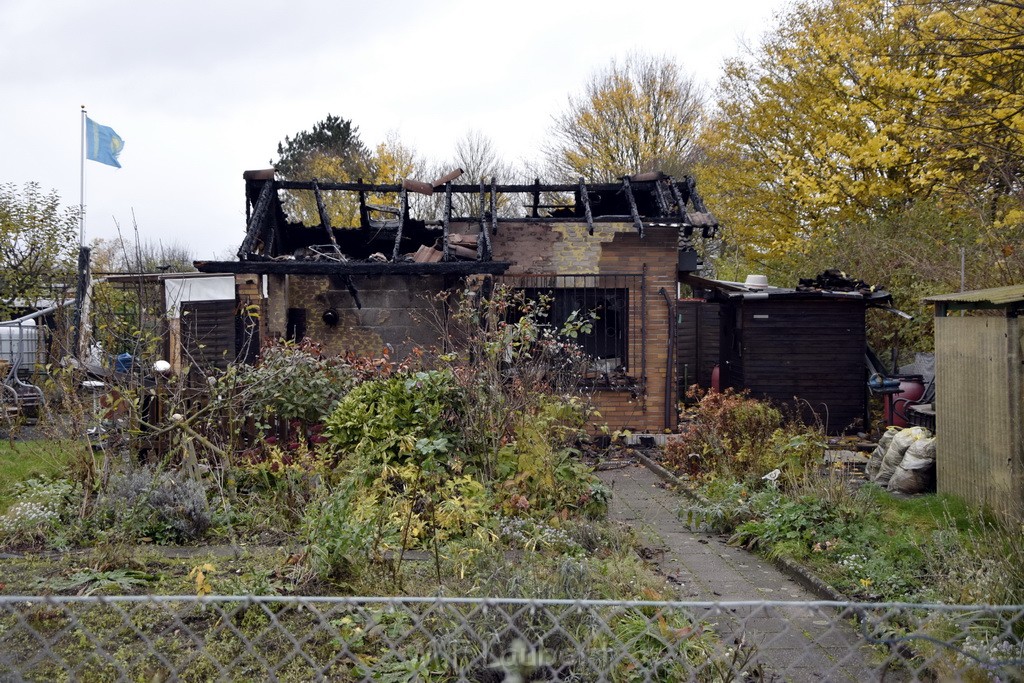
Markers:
396,311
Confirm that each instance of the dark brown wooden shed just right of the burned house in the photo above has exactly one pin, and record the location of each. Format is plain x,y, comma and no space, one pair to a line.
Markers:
801,349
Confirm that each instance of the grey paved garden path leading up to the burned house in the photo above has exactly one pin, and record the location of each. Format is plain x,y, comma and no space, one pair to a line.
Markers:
794,643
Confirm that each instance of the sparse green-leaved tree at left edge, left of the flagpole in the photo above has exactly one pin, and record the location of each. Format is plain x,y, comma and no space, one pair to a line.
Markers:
38,247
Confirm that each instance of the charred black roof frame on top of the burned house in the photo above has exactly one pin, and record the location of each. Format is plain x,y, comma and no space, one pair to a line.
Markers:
436,244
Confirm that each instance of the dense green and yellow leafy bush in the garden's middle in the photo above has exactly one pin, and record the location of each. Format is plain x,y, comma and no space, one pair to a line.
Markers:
400,479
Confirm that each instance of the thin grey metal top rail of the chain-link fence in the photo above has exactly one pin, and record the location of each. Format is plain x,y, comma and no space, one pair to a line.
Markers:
670,605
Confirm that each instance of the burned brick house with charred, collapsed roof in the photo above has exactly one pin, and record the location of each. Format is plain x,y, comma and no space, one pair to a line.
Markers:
613,248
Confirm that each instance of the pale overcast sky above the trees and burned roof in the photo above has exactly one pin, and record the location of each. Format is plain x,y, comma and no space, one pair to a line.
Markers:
202,92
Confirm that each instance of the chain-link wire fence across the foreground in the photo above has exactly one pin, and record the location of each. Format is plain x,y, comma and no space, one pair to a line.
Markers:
151,638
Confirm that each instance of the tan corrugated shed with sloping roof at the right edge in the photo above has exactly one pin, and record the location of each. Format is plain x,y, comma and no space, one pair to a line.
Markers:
979,410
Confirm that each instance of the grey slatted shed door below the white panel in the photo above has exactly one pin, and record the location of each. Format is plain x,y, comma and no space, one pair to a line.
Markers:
208,334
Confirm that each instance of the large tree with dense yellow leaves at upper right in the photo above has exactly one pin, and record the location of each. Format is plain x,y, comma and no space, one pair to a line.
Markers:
852,112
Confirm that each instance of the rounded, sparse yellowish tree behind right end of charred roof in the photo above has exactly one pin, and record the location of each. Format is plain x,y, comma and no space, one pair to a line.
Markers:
635,116
